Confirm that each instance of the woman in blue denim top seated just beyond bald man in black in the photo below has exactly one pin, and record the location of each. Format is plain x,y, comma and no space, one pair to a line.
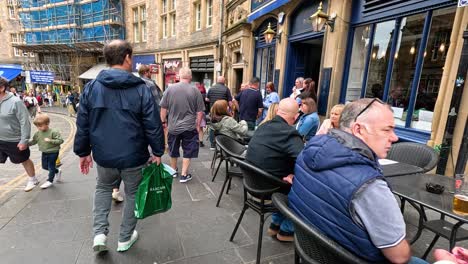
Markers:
309,122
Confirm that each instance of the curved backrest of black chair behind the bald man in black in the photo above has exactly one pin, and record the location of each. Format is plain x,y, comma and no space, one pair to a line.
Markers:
258,182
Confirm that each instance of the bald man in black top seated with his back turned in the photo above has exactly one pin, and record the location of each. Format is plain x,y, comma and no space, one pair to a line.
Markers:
274,148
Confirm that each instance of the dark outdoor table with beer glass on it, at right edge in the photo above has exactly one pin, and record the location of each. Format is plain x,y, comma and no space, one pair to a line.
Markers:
413,189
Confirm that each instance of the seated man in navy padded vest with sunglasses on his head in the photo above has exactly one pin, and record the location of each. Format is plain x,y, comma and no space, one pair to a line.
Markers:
339,187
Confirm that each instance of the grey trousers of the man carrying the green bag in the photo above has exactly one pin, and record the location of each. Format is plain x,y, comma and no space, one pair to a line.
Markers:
106,180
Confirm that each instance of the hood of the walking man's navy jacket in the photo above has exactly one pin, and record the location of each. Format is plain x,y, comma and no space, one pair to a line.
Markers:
118,79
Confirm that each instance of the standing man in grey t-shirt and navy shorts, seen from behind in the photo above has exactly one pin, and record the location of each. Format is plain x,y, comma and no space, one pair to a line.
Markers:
181,111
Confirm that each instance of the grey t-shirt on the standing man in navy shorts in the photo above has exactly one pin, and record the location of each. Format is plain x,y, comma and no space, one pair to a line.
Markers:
183,101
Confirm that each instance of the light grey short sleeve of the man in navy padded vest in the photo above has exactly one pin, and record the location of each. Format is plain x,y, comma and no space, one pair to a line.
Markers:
376,209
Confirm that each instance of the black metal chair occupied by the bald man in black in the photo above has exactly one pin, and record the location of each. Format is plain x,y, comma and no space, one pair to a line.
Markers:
260,185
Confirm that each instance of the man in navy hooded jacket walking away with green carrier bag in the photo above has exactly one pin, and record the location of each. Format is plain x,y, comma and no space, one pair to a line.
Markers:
117,121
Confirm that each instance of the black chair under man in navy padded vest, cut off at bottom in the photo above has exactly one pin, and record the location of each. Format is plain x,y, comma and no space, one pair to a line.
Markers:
311,245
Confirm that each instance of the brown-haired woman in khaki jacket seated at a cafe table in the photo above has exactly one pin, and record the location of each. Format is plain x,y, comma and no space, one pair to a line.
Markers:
223,123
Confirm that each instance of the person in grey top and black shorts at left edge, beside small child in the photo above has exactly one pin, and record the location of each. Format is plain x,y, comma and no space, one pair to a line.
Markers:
15,130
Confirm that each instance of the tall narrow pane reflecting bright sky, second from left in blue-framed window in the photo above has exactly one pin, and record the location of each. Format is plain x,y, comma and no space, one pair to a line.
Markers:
380,52
